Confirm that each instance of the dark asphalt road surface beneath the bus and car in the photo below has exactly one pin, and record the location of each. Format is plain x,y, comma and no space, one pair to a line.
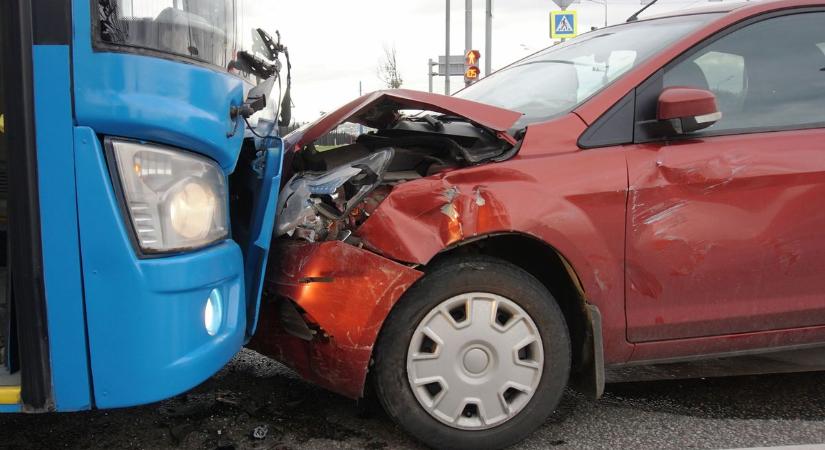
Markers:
255,392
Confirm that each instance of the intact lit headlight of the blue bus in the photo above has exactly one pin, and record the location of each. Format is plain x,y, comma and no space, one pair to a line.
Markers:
175,199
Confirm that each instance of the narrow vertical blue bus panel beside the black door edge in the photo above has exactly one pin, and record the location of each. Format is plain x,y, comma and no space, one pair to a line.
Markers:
59,229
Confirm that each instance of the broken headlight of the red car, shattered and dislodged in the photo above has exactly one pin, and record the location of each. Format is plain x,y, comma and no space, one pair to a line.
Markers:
312,201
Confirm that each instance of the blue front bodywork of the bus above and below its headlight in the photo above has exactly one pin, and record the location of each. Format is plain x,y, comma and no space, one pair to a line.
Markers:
145,317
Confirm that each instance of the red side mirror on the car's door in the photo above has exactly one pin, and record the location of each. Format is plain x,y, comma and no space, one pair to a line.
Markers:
688,109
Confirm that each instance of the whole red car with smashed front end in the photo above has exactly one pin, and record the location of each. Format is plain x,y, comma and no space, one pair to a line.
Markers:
649,192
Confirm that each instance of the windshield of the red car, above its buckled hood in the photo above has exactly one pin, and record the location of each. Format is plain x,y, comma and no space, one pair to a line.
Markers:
556,80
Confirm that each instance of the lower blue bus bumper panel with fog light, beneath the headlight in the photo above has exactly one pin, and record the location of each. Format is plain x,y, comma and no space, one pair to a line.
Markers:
147,338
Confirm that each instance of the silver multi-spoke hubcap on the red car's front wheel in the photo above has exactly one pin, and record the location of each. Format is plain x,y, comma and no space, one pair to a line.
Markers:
475,361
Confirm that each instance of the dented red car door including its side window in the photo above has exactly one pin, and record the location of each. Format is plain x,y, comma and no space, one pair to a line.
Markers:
724,230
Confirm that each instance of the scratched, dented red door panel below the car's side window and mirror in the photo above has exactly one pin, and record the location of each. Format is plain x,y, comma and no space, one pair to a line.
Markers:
732,223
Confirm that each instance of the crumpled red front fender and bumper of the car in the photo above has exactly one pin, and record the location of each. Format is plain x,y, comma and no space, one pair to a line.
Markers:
574,203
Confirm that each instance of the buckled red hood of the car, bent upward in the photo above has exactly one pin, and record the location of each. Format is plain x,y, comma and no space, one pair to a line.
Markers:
379,109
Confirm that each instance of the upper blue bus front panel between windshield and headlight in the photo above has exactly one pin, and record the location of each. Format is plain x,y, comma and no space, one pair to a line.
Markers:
154,99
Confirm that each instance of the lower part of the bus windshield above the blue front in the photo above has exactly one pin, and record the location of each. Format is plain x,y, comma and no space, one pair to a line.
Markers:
203,30
